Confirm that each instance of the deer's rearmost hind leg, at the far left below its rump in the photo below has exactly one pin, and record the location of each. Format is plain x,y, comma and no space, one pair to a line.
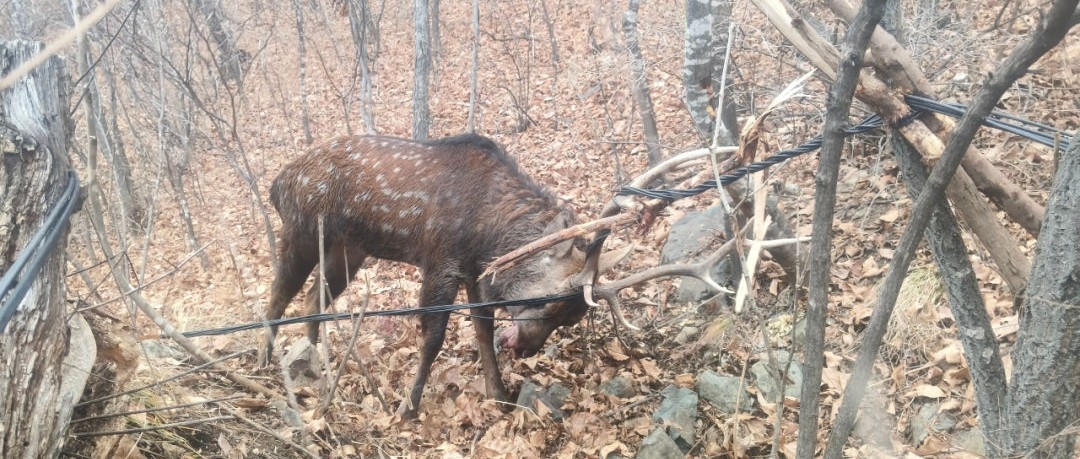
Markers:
299,258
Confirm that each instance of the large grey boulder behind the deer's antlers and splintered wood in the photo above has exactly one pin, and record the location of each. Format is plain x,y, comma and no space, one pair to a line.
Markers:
690,236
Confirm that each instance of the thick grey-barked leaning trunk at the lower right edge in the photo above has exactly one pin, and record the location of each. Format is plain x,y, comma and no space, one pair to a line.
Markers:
1046,381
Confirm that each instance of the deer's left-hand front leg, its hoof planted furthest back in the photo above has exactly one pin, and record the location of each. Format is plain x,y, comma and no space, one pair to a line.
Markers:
437,290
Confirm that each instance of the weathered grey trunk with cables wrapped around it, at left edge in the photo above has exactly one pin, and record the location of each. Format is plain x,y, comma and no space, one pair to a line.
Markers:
45,357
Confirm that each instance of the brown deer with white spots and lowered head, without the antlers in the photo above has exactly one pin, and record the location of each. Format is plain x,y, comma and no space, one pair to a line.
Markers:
447,207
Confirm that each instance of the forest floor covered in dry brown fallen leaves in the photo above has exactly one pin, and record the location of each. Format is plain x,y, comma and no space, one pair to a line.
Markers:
574,127
